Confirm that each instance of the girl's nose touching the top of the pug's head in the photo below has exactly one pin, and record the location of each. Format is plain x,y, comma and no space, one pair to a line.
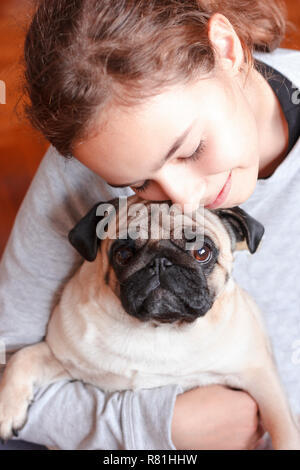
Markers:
183,188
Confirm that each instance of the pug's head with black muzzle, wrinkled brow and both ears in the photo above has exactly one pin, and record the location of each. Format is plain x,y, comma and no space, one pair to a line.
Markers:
157,278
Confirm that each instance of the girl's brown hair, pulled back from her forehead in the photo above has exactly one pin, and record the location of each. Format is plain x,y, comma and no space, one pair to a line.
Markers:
82,55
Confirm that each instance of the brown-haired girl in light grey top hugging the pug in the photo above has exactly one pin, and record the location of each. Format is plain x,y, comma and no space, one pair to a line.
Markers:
167,99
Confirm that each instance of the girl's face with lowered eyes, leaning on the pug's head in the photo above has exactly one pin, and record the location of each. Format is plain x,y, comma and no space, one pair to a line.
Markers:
181,145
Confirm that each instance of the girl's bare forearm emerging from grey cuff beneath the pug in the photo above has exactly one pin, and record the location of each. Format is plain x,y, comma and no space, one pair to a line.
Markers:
216,417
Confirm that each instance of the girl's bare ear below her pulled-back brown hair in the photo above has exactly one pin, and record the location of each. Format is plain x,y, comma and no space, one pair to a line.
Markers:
226,43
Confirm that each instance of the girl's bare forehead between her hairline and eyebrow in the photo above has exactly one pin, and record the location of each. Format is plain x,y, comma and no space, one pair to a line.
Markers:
134,140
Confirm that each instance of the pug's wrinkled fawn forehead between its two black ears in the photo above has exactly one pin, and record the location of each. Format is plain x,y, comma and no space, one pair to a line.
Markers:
145,221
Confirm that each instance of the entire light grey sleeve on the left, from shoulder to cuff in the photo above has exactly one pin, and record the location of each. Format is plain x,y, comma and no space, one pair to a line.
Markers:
37,262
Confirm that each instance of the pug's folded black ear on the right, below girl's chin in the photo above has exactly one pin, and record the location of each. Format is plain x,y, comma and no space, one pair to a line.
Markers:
244,227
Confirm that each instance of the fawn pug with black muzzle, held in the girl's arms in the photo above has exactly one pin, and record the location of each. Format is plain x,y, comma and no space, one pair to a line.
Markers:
147,312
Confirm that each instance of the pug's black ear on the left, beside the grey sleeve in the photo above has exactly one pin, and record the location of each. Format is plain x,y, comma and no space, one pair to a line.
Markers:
83,237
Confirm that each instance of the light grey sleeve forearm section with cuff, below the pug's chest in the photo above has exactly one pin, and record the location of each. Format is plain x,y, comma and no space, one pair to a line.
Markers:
77,416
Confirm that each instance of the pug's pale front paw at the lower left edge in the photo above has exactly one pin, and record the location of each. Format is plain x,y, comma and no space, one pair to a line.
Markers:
14,403
